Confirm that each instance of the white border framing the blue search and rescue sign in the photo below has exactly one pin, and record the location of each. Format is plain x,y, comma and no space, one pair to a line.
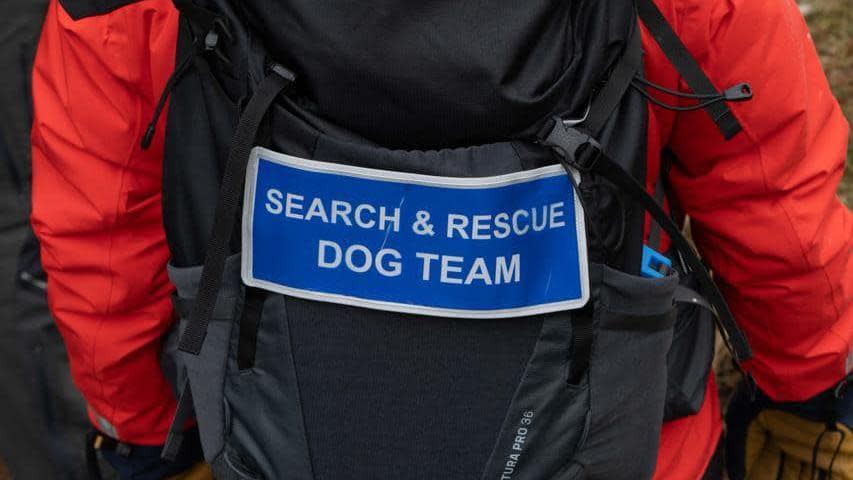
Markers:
416,179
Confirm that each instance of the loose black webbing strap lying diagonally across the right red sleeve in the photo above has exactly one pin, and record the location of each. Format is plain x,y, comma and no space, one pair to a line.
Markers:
686,65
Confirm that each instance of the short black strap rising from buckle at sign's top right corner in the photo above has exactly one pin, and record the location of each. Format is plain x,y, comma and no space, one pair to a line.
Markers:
610,96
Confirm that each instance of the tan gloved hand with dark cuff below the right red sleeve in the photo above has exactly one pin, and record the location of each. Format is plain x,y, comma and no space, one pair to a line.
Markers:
811,440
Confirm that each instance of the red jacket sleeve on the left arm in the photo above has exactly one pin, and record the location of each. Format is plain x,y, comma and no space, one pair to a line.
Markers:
96,207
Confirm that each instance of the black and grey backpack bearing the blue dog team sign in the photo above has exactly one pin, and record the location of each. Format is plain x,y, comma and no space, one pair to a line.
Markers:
360,296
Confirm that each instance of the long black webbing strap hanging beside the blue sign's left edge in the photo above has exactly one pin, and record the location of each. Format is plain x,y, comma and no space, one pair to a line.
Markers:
229,200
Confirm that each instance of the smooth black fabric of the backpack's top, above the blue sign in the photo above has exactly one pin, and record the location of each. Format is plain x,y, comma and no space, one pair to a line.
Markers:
431,74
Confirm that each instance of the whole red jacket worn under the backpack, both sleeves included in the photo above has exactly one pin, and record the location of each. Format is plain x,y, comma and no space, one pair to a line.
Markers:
763,205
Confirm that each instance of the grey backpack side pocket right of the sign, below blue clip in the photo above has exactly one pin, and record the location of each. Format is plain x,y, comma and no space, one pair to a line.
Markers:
627,377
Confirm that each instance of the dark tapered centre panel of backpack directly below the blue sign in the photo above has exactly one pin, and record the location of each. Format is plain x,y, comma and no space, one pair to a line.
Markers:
389,395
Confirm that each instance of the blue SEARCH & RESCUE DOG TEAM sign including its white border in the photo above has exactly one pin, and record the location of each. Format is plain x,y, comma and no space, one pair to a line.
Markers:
491,247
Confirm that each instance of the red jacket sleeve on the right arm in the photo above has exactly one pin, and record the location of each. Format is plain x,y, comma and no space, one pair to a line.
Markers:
763,206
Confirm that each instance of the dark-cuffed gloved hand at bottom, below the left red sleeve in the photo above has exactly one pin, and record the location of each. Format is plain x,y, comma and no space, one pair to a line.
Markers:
137,462
